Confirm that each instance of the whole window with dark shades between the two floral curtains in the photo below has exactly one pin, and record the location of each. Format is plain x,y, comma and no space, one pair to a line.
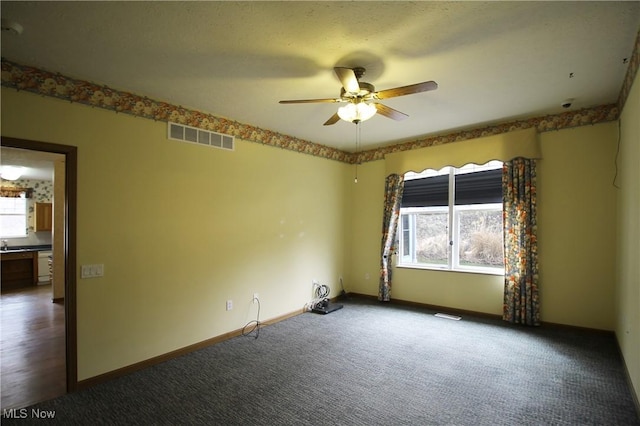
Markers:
452,219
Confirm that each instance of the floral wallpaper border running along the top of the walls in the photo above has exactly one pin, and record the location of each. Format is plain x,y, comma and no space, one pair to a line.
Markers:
22,77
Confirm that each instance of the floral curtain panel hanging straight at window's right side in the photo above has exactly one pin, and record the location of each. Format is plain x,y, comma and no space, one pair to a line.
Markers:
521,301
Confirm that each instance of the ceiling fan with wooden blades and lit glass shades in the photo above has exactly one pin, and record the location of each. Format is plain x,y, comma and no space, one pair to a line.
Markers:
361,97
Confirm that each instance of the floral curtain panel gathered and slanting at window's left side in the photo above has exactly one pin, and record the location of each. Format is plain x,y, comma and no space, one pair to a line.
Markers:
394,186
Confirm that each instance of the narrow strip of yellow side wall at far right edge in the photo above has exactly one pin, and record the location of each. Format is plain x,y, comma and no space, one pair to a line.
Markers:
628,246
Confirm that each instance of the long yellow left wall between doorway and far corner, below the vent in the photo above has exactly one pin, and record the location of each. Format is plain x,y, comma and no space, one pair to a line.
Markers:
181,228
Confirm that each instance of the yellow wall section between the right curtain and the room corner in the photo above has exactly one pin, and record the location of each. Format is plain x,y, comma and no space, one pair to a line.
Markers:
576,226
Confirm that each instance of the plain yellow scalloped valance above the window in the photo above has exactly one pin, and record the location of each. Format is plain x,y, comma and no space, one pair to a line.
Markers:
503,147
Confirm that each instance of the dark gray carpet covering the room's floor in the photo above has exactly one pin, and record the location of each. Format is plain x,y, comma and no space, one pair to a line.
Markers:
373,364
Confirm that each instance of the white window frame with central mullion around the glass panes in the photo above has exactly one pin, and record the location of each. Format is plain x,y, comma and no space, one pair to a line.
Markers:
453,231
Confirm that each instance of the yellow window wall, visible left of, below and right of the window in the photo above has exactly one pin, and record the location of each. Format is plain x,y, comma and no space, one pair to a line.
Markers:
576,230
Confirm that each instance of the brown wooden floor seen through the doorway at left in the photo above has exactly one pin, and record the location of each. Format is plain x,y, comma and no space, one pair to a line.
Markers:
32,351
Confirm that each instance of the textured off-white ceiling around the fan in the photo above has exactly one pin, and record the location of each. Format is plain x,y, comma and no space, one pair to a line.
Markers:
493,62
